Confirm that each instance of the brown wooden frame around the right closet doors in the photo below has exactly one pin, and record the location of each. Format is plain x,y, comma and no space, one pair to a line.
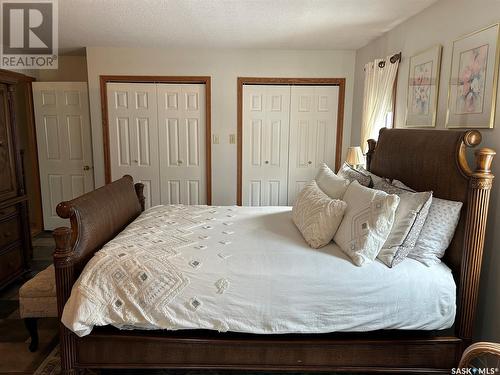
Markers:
340,82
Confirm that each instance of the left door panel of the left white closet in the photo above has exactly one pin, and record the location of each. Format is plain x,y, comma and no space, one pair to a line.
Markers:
133,135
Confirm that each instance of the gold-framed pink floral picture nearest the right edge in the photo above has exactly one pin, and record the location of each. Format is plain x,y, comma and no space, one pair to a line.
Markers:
473,83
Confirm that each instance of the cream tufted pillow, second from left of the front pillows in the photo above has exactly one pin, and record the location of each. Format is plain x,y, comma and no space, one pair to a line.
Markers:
367,222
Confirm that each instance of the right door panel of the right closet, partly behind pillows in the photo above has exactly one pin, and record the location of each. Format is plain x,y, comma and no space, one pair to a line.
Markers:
313,129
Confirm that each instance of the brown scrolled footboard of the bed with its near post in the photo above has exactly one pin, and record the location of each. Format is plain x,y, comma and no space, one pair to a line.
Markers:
95,218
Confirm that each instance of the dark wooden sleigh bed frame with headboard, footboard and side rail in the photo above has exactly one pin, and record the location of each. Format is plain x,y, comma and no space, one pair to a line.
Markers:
424,159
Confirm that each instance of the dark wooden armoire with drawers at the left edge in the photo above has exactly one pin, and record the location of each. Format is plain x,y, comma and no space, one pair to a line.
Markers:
15,239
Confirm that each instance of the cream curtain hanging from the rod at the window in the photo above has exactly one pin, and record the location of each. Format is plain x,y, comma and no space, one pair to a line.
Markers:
378,100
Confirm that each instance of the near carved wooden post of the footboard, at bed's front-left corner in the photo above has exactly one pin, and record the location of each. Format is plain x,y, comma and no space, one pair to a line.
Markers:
63,263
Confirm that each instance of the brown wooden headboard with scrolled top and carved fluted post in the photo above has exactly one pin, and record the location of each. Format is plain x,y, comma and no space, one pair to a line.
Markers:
436,160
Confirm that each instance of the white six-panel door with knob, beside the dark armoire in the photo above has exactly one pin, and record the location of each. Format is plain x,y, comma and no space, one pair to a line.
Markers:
64,144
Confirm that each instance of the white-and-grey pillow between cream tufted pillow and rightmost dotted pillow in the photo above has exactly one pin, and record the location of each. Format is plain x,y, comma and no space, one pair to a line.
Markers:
408,223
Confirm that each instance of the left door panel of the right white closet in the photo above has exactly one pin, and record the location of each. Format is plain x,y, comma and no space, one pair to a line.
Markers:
266,118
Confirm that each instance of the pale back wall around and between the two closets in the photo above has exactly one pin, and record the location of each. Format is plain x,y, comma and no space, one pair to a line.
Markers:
224,66
